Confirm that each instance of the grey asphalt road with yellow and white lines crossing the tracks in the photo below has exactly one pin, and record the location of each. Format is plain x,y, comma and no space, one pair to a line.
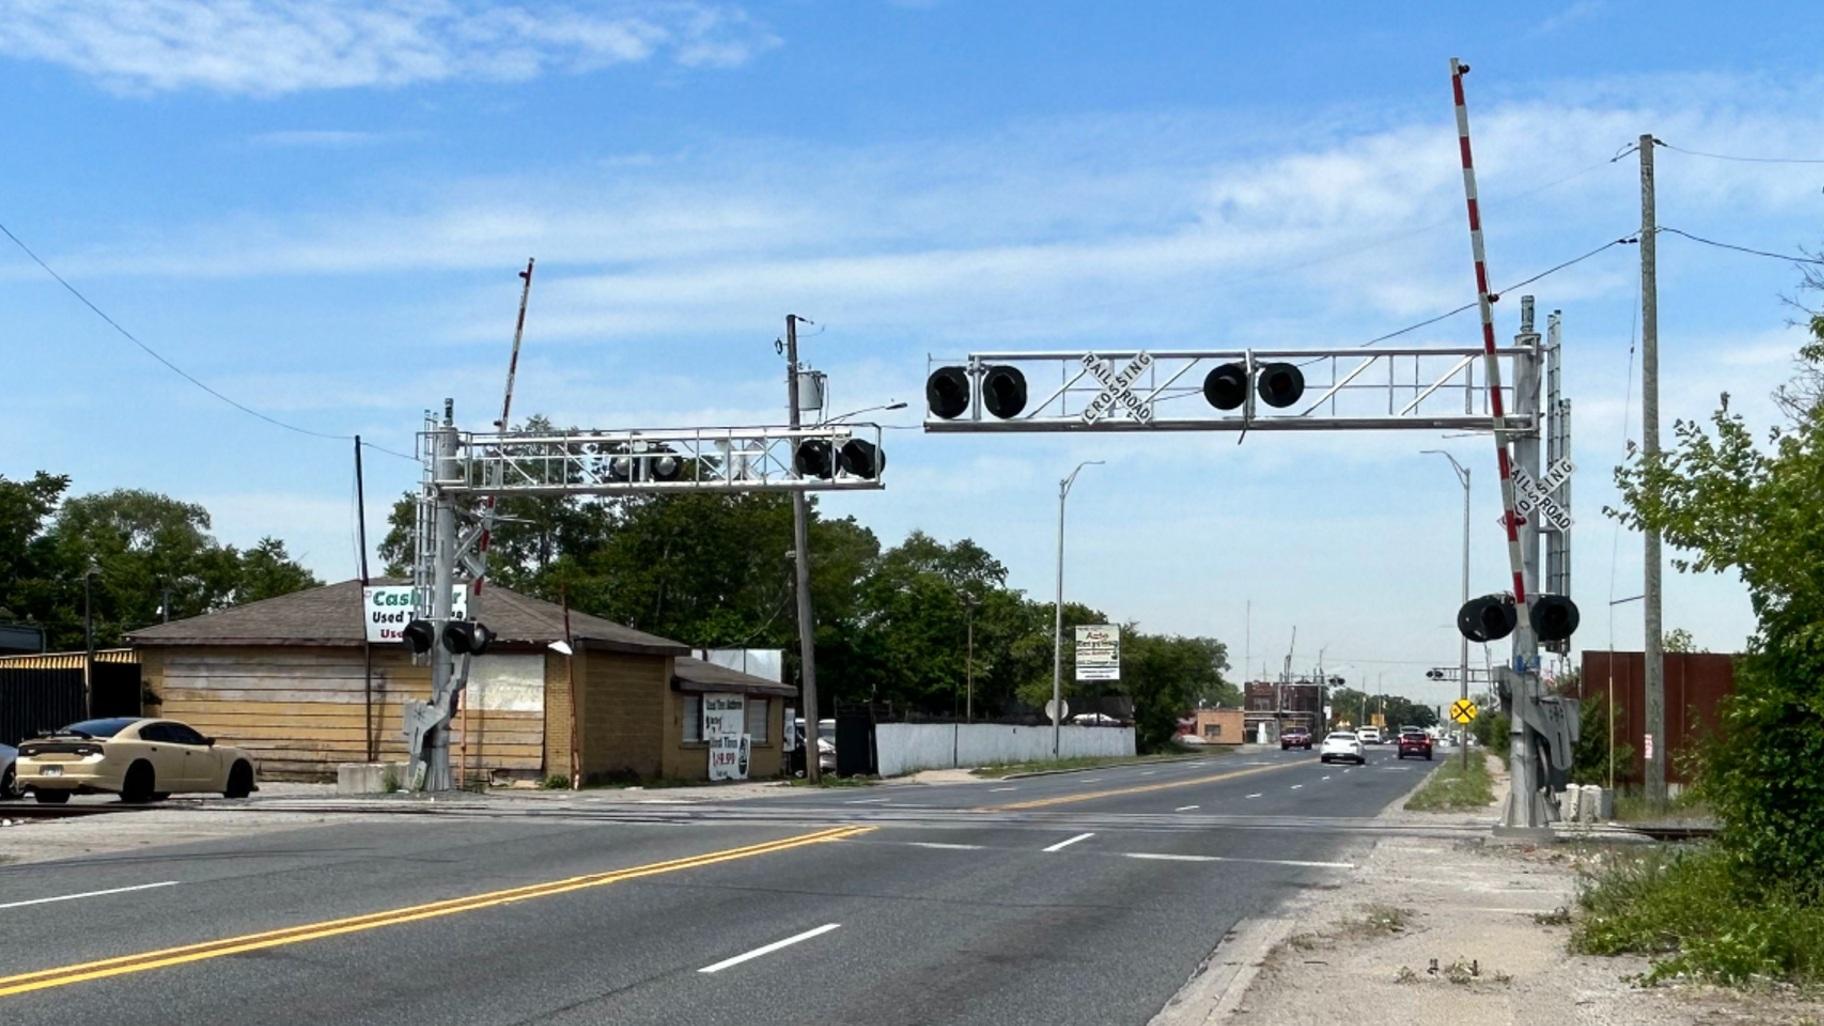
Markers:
1072,899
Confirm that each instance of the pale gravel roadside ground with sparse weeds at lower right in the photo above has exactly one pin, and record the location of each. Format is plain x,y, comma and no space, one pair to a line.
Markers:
1431,930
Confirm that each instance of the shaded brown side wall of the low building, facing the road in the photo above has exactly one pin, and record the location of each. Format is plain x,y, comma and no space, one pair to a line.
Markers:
623,713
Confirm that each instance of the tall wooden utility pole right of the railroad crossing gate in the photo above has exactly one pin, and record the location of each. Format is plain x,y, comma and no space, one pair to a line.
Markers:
1650,443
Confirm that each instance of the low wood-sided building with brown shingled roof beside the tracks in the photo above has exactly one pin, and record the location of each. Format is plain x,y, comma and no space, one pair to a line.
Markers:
298,682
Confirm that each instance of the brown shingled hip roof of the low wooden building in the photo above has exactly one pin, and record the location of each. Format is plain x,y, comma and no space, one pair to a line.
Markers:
335,616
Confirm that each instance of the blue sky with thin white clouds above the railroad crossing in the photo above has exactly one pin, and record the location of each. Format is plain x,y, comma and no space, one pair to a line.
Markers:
320,211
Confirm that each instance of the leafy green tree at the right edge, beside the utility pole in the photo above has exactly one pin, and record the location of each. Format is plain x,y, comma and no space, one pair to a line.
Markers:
1728,503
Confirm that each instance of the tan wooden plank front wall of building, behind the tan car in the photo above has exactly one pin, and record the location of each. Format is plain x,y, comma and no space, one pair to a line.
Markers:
300,709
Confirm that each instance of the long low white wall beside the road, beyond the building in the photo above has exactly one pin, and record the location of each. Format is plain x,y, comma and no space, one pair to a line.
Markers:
909,748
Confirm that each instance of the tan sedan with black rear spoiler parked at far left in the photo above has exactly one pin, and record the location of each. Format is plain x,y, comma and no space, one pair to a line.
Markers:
132,757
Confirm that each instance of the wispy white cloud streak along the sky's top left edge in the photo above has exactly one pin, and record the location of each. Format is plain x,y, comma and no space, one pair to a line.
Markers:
273,48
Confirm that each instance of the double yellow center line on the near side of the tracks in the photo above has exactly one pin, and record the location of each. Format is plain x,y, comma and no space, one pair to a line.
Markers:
140,963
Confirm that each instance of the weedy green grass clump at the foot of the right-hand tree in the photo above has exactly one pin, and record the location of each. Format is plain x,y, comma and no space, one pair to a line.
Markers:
1694,916
